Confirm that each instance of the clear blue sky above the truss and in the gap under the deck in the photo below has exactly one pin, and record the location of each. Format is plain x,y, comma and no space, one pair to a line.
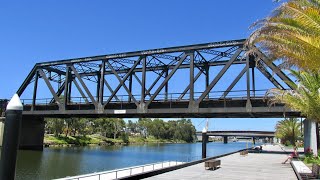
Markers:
35,31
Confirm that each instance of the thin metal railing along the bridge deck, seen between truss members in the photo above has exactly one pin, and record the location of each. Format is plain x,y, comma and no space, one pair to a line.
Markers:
170,97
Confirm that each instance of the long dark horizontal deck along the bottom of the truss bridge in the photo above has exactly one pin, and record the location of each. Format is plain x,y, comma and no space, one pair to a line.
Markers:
222,108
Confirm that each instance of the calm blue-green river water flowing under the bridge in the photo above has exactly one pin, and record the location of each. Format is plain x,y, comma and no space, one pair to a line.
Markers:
61,162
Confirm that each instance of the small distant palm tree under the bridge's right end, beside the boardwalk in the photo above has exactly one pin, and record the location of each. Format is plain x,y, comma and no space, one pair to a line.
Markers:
288,130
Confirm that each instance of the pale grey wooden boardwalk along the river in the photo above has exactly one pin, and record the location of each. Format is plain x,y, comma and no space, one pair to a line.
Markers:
252,166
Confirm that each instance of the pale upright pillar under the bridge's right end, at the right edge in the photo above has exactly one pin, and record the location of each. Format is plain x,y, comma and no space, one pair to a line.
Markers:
310,136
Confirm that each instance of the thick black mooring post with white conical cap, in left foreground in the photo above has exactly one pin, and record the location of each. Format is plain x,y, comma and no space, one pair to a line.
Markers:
11,138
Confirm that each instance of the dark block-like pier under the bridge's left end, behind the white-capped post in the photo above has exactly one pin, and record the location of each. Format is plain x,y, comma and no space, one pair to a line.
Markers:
32,133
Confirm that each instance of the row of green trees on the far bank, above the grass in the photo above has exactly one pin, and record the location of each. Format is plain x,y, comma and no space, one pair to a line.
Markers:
180,130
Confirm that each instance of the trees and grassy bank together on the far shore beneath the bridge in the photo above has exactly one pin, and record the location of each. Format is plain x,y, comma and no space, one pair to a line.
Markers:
115,131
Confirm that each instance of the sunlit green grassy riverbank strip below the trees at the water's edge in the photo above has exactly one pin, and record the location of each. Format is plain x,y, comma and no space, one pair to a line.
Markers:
96,140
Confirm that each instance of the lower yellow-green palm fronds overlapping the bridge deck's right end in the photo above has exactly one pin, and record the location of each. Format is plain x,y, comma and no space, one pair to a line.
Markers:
305,97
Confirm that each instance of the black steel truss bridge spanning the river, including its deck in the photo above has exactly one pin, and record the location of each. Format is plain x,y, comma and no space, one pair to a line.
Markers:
168,82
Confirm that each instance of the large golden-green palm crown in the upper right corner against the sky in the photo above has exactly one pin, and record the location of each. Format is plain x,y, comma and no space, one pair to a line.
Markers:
291,34
